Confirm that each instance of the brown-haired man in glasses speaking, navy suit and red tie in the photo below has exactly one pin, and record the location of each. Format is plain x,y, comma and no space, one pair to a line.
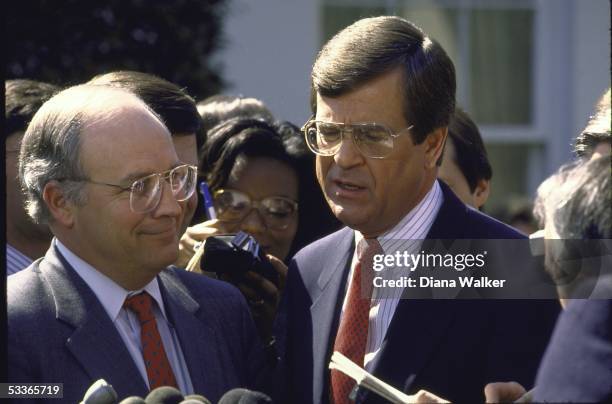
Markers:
382,95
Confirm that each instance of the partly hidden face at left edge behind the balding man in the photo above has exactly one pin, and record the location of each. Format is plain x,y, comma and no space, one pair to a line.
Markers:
17,219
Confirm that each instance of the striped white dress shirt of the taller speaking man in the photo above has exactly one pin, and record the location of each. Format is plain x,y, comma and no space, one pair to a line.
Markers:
407,235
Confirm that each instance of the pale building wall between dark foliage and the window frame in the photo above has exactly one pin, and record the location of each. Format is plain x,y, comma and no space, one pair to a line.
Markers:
271,45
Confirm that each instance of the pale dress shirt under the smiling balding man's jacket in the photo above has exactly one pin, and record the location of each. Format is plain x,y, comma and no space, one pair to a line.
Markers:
112,297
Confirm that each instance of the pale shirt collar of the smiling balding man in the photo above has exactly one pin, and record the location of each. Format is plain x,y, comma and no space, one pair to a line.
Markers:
111,295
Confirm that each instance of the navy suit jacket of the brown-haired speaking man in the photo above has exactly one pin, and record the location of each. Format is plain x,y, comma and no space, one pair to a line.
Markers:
451,348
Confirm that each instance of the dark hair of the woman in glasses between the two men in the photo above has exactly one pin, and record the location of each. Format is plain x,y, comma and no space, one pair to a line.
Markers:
282,141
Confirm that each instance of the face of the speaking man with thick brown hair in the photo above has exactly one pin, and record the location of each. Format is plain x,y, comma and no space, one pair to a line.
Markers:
372,195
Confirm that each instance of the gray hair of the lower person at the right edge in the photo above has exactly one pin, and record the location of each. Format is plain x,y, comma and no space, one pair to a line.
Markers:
576,203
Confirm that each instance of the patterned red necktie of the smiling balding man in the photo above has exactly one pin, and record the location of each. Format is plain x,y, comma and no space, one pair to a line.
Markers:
158,367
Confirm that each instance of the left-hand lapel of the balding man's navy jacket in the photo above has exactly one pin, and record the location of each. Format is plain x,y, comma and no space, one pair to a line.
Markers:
95,343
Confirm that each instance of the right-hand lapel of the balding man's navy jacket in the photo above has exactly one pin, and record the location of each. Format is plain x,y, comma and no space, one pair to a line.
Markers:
195,336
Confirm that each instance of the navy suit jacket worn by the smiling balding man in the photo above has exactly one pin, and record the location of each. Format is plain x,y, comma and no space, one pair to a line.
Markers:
58,332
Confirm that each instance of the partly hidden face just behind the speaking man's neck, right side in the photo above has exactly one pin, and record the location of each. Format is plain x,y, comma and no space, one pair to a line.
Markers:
451,174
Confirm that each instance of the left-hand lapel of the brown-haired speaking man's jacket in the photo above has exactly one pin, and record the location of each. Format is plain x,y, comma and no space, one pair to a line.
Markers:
327,305
